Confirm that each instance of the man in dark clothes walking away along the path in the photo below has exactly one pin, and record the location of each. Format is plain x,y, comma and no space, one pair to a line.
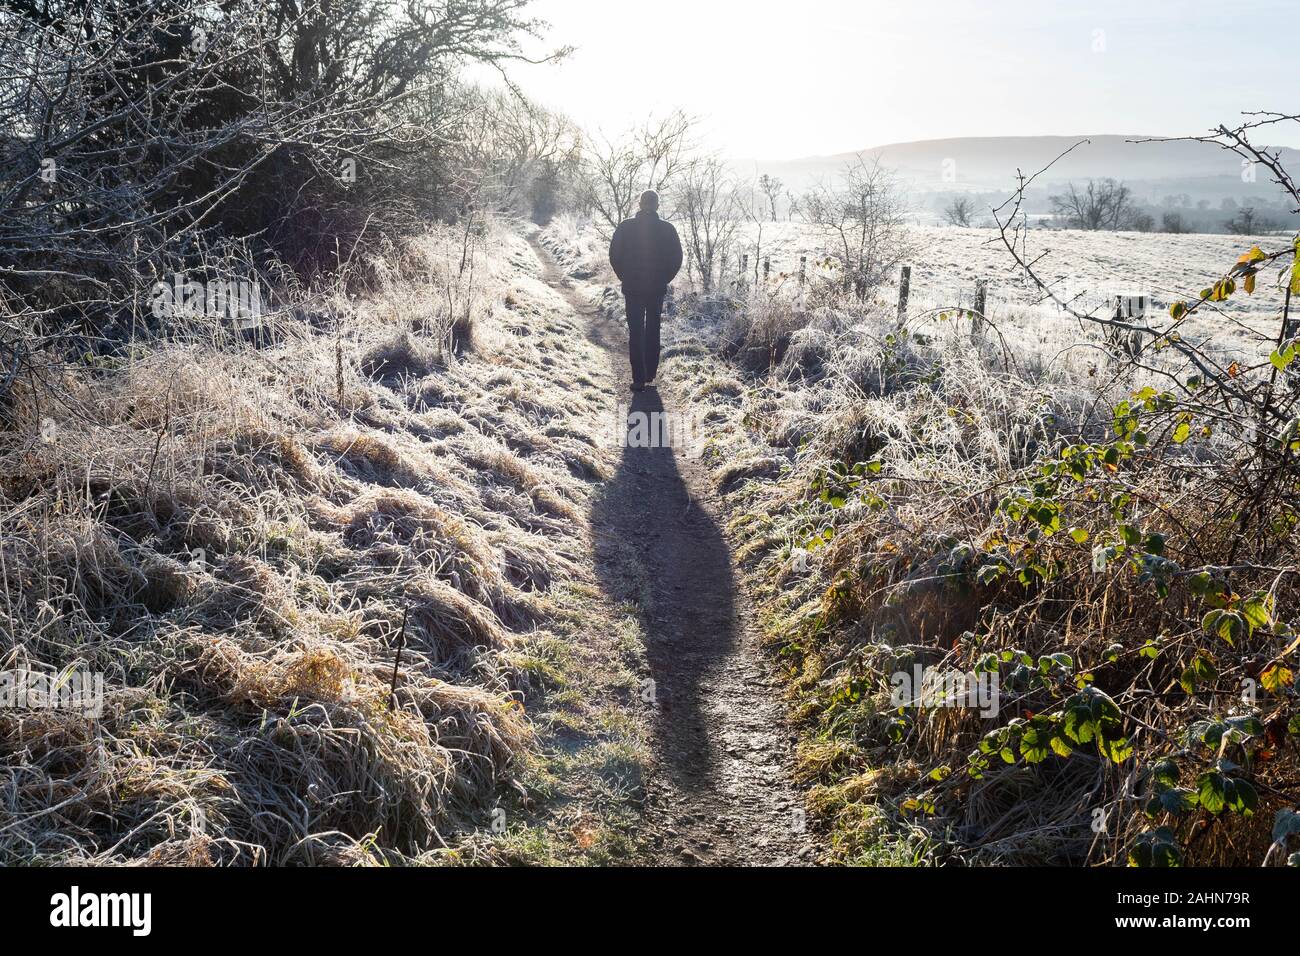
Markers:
647,256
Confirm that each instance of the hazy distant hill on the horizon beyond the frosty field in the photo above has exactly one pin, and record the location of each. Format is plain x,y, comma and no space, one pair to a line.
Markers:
991,163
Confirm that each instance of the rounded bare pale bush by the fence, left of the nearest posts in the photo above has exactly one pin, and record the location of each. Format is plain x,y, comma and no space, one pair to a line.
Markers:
864,217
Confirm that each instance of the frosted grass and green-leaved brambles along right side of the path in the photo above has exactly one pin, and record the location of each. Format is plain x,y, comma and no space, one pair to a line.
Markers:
899,499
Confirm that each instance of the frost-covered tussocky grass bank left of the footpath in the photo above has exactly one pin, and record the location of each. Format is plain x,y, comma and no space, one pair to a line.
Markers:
235,538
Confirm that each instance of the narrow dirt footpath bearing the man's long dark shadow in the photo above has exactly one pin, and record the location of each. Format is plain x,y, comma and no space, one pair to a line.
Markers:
721,793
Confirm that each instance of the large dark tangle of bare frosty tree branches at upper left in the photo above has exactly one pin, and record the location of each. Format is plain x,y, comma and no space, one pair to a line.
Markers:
137,139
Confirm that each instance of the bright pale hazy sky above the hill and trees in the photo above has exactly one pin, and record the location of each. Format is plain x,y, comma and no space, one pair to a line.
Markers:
782,80
